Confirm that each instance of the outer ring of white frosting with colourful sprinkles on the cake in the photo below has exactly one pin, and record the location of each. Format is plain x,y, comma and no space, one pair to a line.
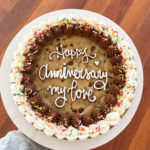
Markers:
71,133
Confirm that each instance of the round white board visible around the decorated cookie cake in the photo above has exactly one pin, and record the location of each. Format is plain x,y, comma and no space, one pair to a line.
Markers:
40,137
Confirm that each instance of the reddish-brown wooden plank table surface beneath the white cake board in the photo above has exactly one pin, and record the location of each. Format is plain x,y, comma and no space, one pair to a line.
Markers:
132,15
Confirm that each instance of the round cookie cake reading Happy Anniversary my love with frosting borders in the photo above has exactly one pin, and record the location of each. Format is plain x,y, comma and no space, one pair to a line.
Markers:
73,77
